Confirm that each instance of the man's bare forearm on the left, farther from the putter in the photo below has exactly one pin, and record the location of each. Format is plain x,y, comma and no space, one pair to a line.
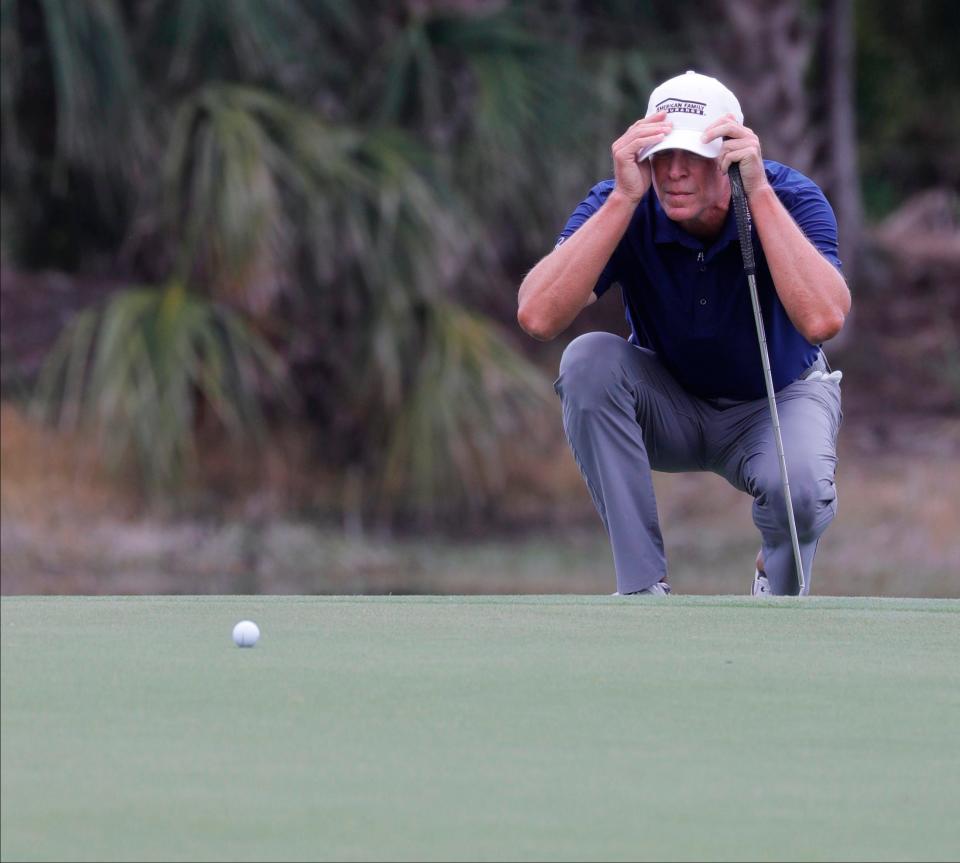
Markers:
559,286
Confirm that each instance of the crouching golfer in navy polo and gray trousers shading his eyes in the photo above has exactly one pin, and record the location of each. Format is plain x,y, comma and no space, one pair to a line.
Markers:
685,391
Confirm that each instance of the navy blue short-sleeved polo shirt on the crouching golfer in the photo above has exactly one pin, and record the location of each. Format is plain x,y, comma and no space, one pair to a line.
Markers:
688,300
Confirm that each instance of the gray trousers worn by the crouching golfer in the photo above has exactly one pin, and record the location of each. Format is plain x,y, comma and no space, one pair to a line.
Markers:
624,415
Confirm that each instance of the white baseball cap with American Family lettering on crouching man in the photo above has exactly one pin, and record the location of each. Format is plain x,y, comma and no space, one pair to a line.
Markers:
692,102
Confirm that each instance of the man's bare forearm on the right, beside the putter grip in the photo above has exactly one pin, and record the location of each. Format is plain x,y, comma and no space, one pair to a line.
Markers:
811,289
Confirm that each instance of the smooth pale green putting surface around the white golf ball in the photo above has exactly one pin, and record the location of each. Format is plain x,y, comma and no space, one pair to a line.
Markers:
518,728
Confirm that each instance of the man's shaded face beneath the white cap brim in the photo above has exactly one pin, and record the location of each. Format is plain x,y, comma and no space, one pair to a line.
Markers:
691,189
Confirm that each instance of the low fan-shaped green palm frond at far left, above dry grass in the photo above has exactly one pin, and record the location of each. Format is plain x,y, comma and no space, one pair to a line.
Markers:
149,365
